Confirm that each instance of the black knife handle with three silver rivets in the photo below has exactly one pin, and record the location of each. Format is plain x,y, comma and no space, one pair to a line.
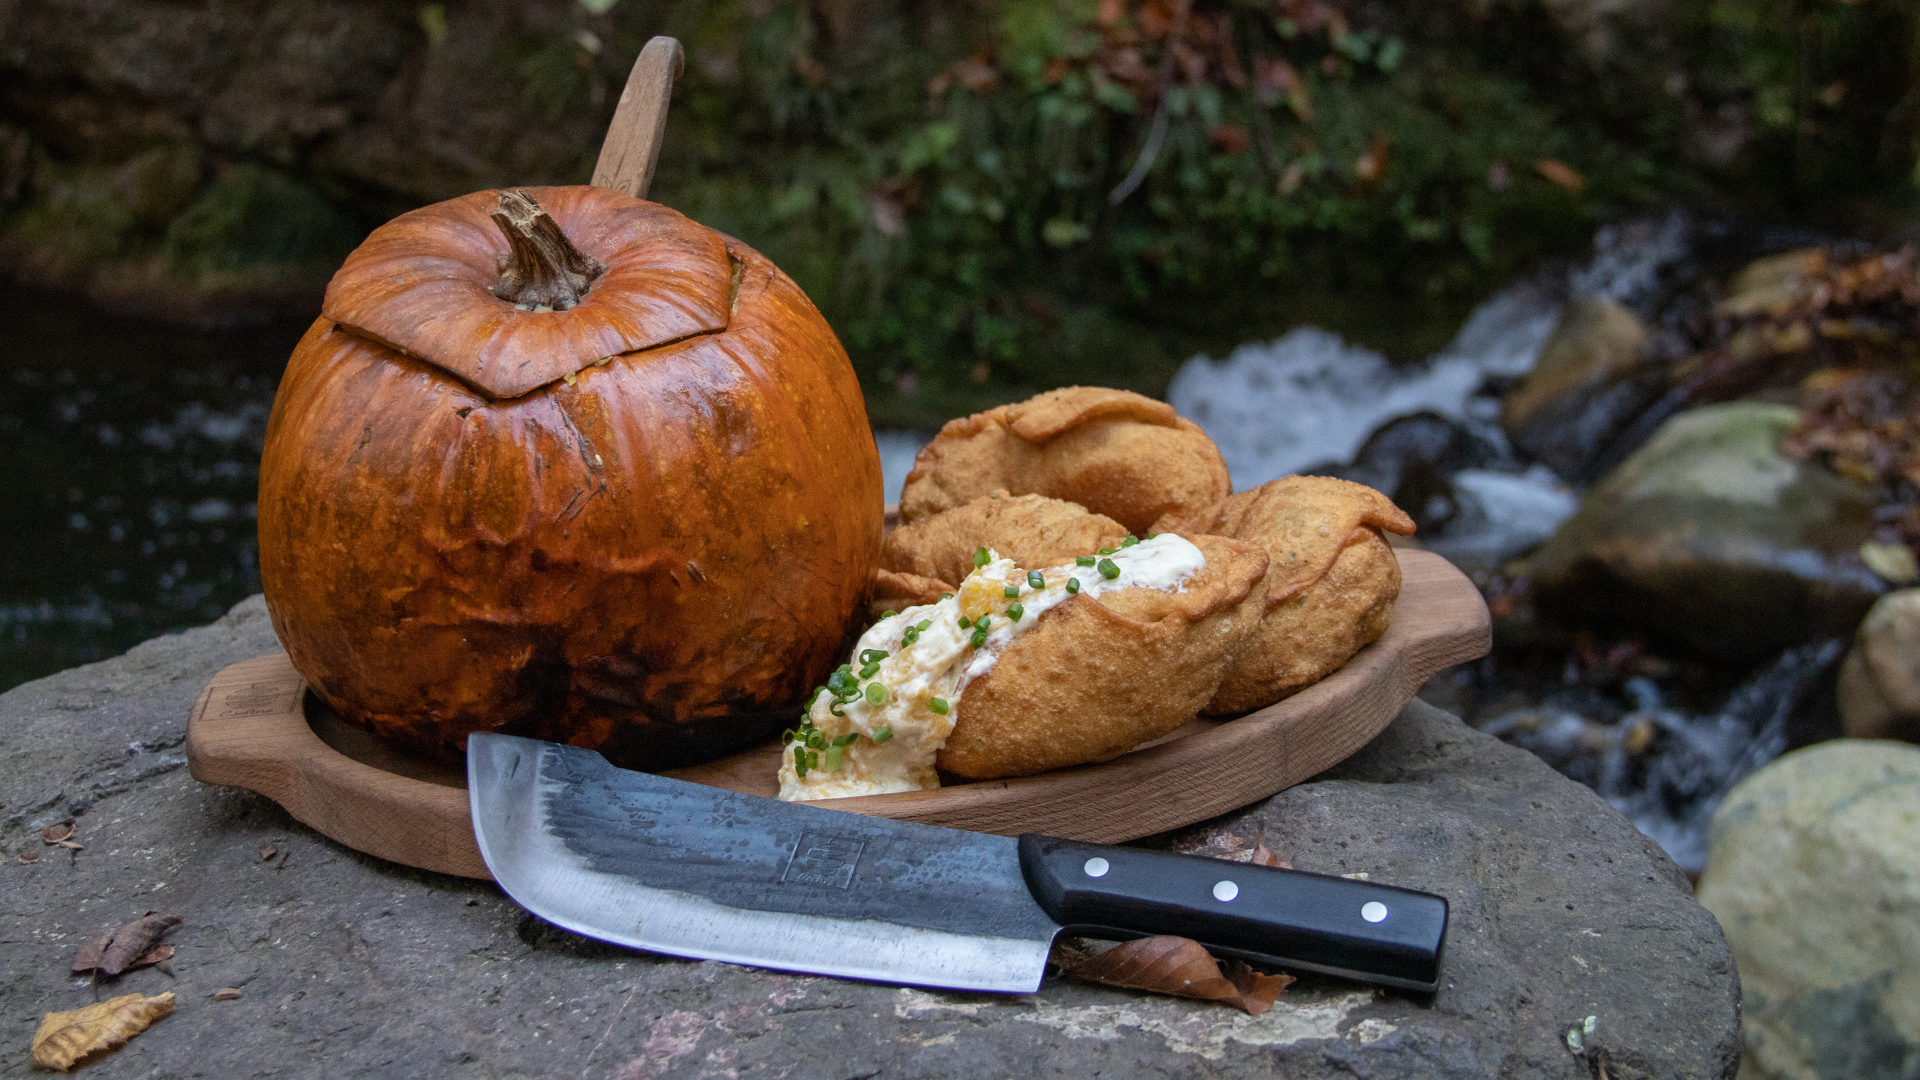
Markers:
1362,931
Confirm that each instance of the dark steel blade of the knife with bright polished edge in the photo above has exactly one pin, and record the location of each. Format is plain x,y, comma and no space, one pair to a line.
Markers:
696,871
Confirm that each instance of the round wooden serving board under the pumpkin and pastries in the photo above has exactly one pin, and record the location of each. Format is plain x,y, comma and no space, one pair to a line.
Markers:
256,727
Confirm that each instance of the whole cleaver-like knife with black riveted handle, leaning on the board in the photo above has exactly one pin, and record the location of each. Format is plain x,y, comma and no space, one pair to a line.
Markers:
694,871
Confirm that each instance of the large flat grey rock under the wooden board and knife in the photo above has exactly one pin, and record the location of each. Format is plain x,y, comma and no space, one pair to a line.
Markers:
356,968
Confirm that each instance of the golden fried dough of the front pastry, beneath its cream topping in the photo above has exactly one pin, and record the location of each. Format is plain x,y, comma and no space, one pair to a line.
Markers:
1097,677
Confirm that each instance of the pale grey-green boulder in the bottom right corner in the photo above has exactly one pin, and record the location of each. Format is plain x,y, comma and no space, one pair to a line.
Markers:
1815,875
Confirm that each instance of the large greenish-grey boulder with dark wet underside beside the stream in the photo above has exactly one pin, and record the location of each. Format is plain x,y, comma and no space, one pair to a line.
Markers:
1714,541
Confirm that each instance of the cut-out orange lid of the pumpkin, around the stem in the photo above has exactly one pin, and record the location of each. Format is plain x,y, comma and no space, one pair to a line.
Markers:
423,285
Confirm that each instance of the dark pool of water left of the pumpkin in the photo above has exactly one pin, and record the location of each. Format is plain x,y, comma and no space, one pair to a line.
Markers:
130,454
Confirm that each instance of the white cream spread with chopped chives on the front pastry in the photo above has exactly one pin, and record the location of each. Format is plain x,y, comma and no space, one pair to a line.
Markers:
878,733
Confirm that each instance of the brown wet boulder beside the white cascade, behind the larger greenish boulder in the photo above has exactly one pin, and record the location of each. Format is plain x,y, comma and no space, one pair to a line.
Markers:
1585,389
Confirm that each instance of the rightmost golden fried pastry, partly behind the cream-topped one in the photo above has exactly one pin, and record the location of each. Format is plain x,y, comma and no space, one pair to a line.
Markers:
1332,589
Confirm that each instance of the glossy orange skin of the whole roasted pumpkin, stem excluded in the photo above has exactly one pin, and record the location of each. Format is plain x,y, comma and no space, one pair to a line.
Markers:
654,558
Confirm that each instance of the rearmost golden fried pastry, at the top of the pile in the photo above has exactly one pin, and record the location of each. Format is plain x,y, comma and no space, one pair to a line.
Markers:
1113,453
